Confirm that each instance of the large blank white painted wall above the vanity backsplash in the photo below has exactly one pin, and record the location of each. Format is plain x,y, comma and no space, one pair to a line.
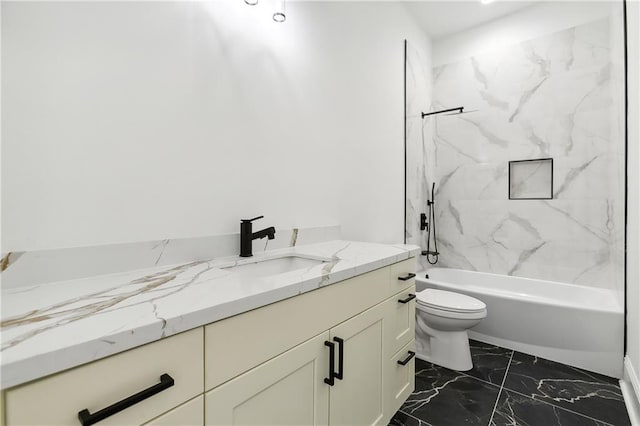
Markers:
140,121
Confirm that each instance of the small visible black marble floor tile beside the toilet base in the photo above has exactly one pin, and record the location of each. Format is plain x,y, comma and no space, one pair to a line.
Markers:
489,362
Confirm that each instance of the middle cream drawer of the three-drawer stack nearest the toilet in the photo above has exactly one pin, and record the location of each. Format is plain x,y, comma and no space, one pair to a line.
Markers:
401,320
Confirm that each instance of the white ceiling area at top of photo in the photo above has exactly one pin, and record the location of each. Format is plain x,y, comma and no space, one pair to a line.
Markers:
443,18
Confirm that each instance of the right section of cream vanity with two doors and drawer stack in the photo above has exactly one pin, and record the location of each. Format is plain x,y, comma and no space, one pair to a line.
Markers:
366,324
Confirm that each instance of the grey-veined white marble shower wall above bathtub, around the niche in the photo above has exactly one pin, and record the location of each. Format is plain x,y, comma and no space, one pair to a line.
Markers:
558,96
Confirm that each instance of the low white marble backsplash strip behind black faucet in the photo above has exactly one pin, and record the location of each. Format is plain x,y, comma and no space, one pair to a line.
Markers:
45,266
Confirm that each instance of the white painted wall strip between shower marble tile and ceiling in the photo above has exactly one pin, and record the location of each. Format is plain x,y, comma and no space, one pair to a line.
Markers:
532,22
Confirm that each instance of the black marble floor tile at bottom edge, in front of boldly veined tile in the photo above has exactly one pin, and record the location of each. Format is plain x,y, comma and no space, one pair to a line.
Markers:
518,410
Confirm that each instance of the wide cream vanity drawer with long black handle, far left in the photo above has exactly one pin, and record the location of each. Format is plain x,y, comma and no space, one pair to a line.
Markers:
57,399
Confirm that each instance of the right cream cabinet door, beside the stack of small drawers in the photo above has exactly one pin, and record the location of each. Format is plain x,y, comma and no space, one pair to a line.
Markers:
357,399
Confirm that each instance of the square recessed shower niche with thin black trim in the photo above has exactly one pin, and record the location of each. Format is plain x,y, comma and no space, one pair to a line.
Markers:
531,179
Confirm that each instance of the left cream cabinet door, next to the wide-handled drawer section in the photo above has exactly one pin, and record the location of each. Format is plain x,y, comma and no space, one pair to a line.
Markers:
287,390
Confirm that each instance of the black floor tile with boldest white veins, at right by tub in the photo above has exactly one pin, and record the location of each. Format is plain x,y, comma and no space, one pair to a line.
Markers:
580,391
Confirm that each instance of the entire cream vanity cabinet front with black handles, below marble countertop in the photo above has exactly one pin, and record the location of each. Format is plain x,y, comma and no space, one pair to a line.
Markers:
270,365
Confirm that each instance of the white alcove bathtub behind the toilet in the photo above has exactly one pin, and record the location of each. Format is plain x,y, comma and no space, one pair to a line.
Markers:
571,324
